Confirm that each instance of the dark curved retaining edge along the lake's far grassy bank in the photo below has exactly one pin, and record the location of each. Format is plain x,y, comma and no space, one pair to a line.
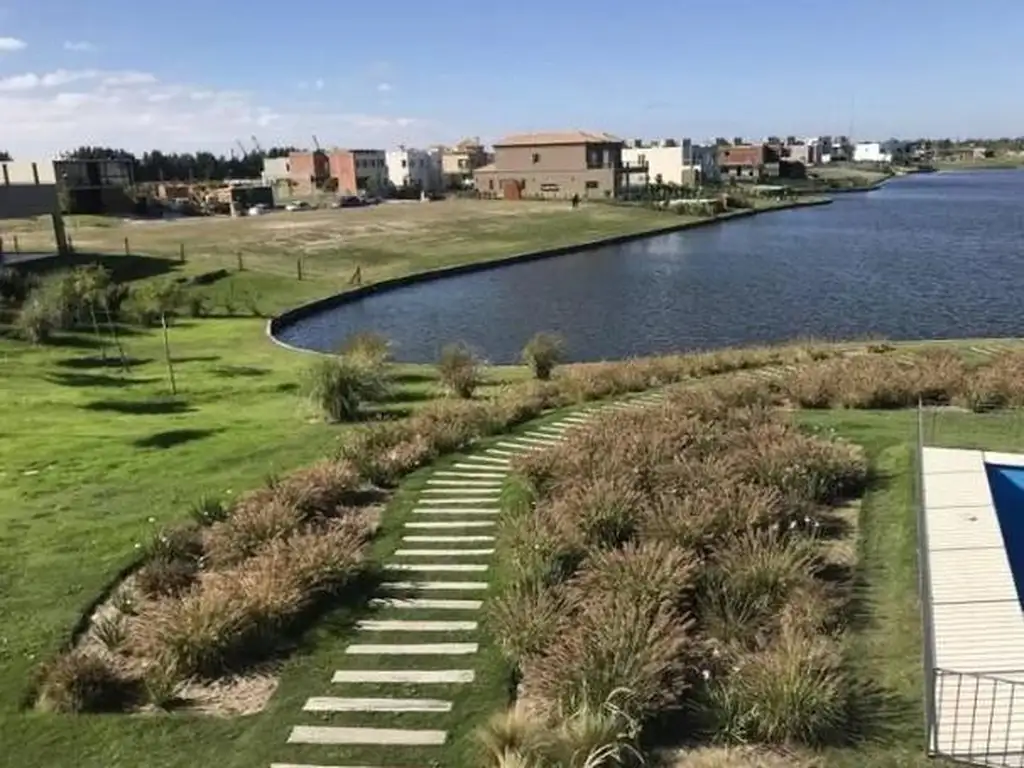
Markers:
290,317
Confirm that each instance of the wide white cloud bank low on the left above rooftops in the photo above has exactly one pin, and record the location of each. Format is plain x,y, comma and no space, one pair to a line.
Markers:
48,113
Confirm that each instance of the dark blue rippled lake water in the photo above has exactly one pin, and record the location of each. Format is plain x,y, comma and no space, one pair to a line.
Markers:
929,257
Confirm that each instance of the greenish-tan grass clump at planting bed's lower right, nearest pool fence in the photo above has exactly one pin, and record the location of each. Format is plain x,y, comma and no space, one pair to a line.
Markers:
793,693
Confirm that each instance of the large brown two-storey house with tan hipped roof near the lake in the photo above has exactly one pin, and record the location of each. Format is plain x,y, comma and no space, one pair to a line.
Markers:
554,165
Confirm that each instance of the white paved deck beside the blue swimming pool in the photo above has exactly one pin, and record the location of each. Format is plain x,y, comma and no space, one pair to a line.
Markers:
978,624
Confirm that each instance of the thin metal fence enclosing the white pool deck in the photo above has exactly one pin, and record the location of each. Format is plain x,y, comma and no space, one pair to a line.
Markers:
976,718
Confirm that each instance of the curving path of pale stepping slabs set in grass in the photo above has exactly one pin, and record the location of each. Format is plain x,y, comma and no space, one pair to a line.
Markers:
399,681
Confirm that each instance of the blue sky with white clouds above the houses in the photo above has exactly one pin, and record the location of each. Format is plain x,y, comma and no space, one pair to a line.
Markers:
195,74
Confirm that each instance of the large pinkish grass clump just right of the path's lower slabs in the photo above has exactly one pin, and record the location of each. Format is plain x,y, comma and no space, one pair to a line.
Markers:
612,643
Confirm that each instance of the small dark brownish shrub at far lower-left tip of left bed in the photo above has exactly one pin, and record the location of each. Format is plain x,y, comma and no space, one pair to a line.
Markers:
80,681
